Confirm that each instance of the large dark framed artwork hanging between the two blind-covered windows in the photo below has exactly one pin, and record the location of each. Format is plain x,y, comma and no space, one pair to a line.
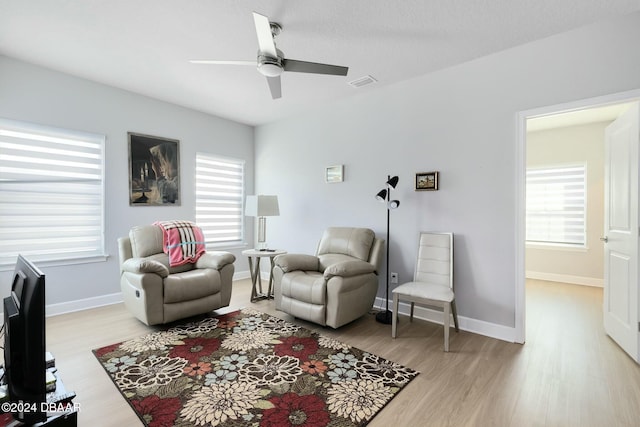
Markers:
154,170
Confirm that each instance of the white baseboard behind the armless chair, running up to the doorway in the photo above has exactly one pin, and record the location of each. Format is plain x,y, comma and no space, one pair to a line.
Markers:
492,330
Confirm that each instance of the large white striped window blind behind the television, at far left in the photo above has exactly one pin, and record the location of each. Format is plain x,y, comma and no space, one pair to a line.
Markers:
51,193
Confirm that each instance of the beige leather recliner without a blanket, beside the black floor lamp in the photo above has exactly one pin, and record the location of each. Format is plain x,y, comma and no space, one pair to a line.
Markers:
337,285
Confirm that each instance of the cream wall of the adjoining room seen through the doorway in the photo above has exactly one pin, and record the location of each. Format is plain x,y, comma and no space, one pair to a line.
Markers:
582,144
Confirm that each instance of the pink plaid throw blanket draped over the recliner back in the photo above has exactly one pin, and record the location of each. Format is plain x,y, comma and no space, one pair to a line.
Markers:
183,241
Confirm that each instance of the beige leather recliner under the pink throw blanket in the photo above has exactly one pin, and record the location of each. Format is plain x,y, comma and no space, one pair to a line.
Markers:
156,293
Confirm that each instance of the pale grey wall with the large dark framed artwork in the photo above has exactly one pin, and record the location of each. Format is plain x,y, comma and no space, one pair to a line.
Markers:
34,94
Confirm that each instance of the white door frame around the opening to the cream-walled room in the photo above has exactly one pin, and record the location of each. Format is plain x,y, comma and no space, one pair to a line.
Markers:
520,196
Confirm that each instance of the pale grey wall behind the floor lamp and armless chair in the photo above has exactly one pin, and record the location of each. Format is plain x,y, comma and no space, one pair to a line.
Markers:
460,121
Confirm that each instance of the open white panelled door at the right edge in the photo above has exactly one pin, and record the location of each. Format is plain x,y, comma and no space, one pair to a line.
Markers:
621,232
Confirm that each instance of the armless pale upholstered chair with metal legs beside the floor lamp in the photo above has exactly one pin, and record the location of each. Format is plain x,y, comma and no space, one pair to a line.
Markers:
432,282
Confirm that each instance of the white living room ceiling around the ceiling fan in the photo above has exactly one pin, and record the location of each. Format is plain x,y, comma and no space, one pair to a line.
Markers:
144,45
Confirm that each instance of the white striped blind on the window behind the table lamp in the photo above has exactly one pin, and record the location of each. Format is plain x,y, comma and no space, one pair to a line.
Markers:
219,199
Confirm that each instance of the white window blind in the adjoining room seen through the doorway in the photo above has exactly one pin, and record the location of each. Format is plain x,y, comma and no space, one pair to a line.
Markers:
556,205
